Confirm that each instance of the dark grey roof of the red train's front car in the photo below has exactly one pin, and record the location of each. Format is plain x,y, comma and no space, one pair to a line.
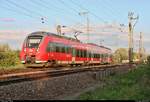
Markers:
42,33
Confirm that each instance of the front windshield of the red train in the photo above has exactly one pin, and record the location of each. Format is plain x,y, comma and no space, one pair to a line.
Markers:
34,41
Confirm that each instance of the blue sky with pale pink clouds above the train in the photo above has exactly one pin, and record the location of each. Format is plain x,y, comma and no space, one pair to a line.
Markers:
18,18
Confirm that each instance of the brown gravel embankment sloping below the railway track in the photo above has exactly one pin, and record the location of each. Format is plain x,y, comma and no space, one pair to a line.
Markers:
58,87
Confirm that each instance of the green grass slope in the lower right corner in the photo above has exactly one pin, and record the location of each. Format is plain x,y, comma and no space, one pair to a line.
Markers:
134,85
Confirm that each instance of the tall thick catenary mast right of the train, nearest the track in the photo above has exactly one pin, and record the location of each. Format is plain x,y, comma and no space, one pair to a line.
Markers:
131,28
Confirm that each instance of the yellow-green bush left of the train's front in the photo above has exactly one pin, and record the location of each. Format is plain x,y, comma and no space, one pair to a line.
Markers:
10,58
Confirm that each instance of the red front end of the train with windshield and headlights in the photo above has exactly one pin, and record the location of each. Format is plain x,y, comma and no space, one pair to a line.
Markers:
30,50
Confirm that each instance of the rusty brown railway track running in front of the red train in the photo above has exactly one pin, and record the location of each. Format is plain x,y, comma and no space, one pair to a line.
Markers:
35,75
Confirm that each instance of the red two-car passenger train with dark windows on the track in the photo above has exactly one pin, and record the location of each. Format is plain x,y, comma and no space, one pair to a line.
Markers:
46,49
